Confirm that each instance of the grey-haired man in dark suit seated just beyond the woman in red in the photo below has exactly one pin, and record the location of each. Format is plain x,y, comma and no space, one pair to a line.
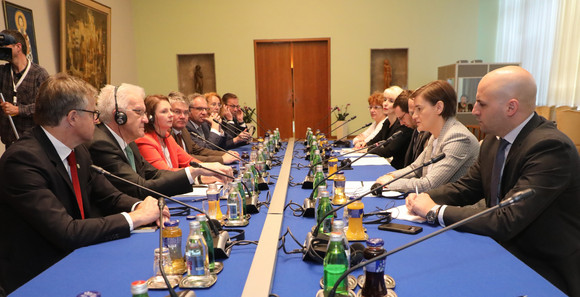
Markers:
180,110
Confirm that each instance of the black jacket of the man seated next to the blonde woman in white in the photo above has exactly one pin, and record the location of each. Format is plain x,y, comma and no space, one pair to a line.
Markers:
396,148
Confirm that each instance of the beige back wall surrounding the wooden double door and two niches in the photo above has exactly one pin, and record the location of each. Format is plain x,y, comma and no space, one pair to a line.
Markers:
436,33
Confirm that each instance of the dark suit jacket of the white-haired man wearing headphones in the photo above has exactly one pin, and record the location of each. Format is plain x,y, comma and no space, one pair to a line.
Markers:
106,153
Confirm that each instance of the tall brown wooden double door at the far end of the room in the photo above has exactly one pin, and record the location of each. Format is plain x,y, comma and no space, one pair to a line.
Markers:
292,84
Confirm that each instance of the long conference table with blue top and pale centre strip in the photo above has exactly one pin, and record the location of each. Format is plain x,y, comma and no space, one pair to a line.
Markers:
452,264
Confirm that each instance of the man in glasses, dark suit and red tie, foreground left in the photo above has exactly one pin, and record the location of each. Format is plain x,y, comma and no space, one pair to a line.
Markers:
48,192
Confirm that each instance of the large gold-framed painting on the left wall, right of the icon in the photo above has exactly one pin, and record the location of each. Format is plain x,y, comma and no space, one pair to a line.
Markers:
85,41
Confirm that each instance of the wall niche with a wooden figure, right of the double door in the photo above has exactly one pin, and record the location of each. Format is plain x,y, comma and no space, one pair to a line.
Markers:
389,67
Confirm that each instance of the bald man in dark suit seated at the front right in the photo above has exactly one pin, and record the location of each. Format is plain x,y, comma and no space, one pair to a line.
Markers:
521,151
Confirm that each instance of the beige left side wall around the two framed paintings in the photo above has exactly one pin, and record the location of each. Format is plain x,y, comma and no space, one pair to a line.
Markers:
47,27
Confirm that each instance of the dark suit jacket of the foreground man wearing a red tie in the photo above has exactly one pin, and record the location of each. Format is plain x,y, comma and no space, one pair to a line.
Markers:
40,221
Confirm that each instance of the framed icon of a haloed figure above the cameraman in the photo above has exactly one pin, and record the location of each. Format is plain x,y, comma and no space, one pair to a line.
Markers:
20,18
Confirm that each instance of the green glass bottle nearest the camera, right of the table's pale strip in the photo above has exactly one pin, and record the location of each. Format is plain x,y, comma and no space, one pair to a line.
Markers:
335,264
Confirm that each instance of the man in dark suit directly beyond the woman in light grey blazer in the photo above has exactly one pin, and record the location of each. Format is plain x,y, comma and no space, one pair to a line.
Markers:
404,108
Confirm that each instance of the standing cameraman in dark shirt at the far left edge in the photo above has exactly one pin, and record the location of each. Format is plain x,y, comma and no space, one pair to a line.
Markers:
20,80
